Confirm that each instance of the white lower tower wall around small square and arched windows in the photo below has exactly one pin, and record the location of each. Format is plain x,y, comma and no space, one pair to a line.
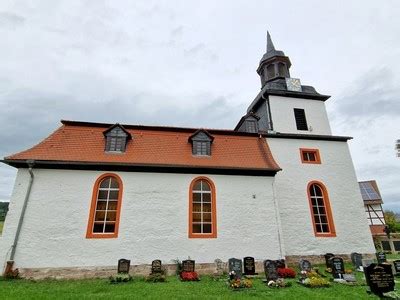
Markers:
337,173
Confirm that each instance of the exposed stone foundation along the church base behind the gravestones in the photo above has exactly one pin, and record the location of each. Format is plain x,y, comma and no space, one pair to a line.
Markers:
144,270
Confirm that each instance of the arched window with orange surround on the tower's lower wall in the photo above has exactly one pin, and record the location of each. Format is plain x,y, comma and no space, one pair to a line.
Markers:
321,213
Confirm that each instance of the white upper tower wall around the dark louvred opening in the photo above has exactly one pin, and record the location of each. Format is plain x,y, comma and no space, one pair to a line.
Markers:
283,115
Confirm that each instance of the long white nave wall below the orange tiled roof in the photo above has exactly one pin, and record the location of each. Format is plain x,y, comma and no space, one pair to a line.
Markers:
153,224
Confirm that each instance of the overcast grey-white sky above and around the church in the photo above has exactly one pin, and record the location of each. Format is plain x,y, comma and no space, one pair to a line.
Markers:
192,63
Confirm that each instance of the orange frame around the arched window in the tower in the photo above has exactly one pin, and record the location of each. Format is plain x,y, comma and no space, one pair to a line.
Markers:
327,205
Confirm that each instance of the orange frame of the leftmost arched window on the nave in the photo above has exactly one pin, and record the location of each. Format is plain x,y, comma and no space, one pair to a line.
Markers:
89,231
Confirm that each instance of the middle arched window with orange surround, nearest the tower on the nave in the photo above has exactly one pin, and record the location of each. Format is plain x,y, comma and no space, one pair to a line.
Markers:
202,209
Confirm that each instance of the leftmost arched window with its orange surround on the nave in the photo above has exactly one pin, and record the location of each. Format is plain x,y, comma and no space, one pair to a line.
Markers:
105,207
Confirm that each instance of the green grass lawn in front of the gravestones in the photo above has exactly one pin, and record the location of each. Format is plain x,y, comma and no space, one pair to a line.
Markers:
207,288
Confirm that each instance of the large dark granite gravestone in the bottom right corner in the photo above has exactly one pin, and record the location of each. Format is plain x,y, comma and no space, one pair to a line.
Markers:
379,278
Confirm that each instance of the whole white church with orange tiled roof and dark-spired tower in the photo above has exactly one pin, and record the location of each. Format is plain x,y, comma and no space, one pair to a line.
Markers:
278,185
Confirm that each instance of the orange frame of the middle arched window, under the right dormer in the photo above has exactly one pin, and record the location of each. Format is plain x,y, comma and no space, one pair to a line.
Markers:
213,233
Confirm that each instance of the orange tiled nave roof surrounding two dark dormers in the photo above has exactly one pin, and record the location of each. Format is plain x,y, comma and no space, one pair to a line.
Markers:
83,143
